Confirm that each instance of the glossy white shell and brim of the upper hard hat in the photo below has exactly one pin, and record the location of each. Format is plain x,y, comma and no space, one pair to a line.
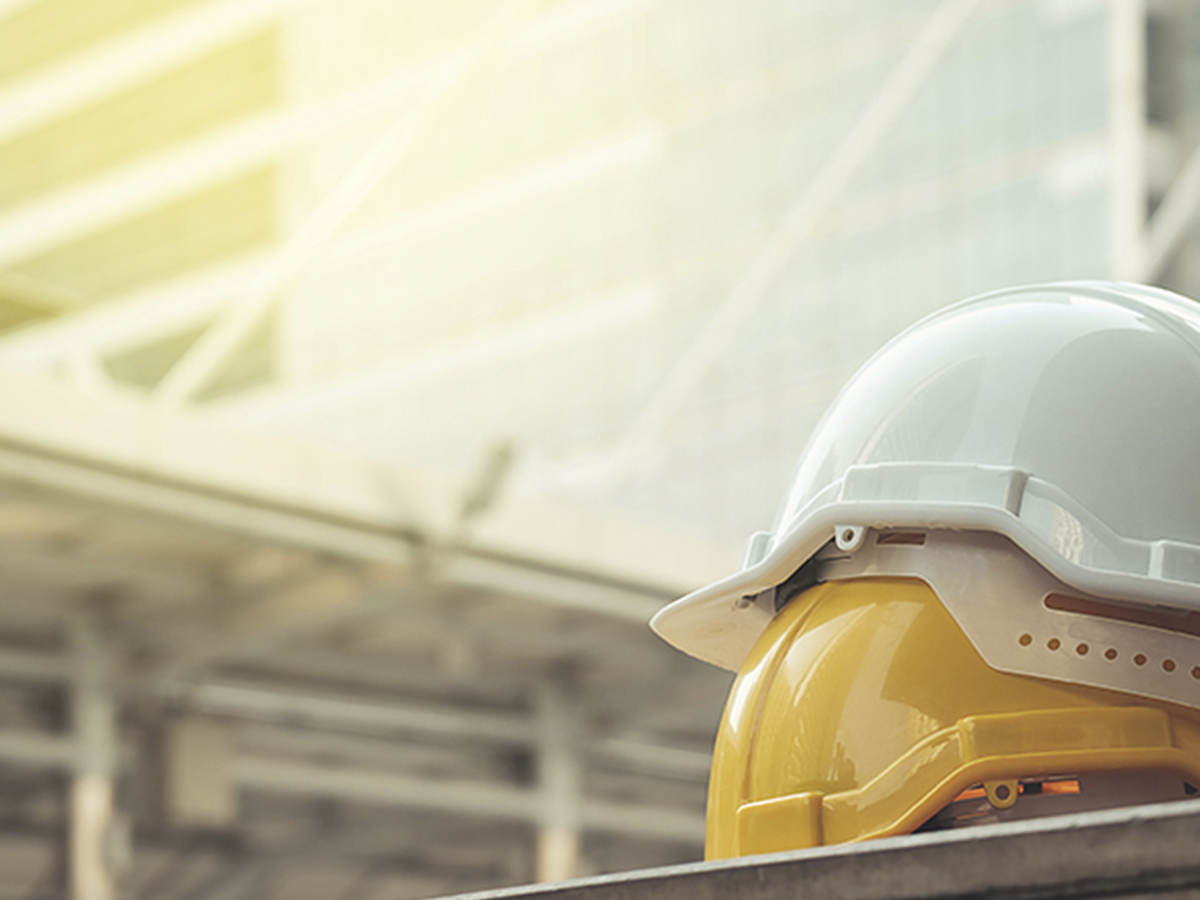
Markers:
1063,417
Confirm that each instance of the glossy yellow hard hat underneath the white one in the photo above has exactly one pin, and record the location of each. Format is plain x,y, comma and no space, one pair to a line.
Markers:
865,710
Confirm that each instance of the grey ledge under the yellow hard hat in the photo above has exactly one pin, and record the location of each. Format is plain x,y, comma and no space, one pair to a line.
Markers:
1137,851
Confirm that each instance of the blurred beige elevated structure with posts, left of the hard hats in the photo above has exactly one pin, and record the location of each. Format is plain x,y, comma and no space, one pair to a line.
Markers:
232,664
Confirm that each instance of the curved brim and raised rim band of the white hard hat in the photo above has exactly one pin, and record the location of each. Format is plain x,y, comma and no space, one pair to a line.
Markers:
716,623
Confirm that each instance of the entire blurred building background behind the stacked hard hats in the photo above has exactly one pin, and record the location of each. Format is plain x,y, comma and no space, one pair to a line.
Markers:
374,370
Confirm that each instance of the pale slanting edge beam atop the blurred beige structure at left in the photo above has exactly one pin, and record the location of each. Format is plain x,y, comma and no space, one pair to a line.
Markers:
179,469
